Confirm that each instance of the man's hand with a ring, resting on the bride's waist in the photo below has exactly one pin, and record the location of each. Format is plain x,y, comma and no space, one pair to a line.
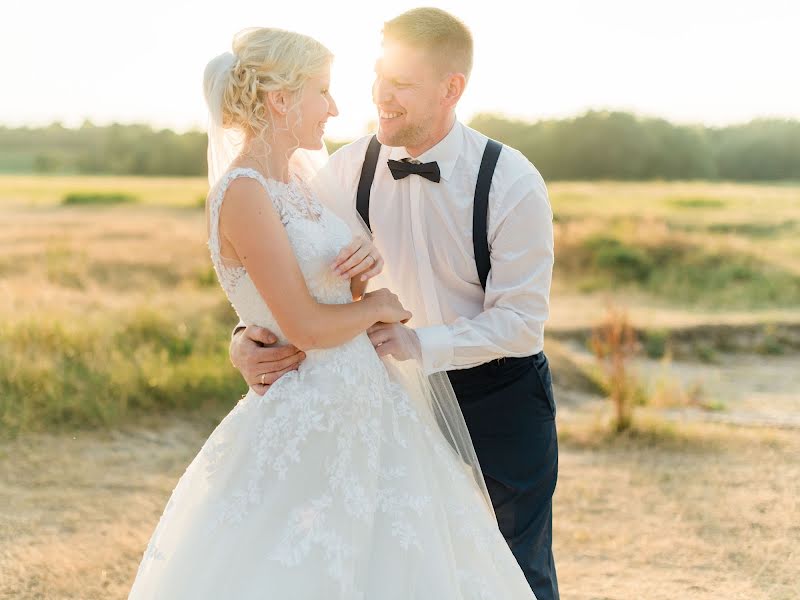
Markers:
259,361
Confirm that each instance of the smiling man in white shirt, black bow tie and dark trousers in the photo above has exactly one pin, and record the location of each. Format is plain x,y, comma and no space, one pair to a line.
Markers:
465,228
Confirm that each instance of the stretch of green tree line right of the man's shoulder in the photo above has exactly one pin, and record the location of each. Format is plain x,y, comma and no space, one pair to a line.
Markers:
618,145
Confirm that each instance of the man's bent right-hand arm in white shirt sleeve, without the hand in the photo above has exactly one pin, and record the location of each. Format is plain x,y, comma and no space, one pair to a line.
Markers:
516,303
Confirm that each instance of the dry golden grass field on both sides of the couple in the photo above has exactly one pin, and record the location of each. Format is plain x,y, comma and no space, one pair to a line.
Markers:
114,369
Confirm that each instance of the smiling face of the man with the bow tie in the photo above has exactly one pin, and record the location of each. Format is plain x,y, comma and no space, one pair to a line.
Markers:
410,92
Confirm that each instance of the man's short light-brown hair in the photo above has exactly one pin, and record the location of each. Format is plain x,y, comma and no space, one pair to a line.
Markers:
436,31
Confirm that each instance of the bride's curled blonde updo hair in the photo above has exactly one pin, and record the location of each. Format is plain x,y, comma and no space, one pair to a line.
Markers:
268,60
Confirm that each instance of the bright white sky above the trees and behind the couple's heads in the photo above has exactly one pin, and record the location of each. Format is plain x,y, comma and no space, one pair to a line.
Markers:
700,61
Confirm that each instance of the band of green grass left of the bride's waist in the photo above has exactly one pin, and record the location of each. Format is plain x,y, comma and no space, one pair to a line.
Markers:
67,373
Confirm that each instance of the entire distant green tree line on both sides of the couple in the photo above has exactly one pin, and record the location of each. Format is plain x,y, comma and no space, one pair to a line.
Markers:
594,145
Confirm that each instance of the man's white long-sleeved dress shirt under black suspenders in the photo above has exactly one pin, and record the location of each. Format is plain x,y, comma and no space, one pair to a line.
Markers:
423,230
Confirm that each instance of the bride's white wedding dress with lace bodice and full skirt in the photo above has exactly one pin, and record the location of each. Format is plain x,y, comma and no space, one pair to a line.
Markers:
335,484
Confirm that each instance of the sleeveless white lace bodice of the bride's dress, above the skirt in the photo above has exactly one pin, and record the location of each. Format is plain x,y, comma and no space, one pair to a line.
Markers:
315,233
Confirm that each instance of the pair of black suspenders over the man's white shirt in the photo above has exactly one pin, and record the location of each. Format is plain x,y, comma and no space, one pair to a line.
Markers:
480,208
